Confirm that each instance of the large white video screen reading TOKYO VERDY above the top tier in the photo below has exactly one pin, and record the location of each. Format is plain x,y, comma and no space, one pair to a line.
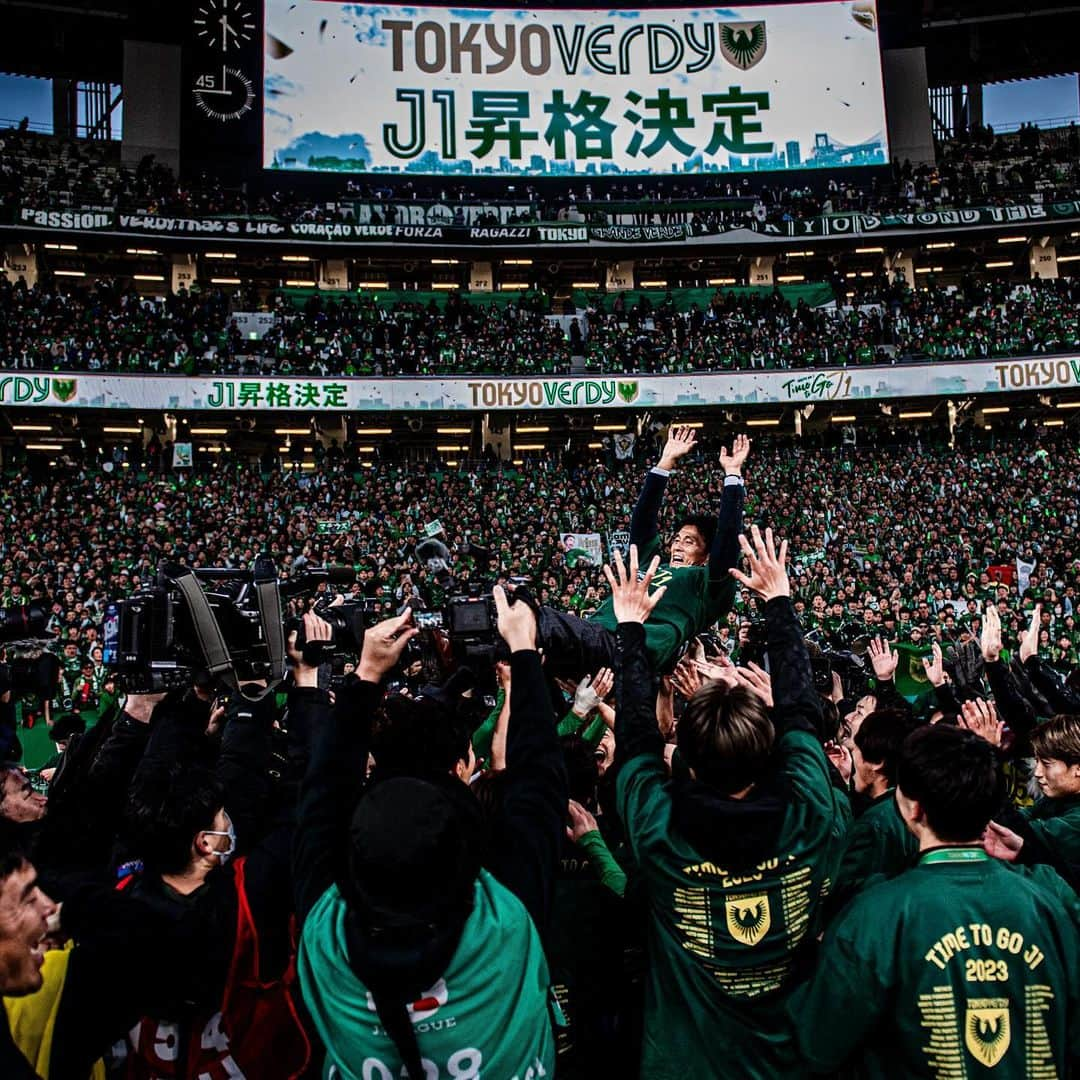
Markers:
474,91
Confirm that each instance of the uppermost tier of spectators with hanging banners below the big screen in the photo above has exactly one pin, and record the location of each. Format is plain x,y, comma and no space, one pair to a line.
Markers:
42,172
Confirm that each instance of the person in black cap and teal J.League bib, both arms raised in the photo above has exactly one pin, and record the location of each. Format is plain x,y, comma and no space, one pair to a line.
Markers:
411,925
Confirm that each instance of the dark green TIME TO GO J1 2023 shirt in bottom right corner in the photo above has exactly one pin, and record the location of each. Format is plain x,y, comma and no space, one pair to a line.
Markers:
957,967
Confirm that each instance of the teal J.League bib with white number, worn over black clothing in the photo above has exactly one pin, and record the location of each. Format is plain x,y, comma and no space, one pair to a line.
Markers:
488,1017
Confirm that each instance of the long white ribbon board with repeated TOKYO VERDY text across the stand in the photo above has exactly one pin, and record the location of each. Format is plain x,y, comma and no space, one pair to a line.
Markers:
465,393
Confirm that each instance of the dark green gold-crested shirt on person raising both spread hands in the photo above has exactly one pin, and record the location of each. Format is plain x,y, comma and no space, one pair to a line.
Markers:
723,944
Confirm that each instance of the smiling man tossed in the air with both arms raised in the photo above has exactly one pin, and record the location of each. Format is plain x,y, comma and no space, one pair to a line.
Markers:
699,589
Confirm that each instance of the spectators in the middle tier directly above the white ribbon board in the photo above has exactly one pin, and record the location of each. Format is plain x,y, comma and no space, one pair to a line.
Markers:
111,329
